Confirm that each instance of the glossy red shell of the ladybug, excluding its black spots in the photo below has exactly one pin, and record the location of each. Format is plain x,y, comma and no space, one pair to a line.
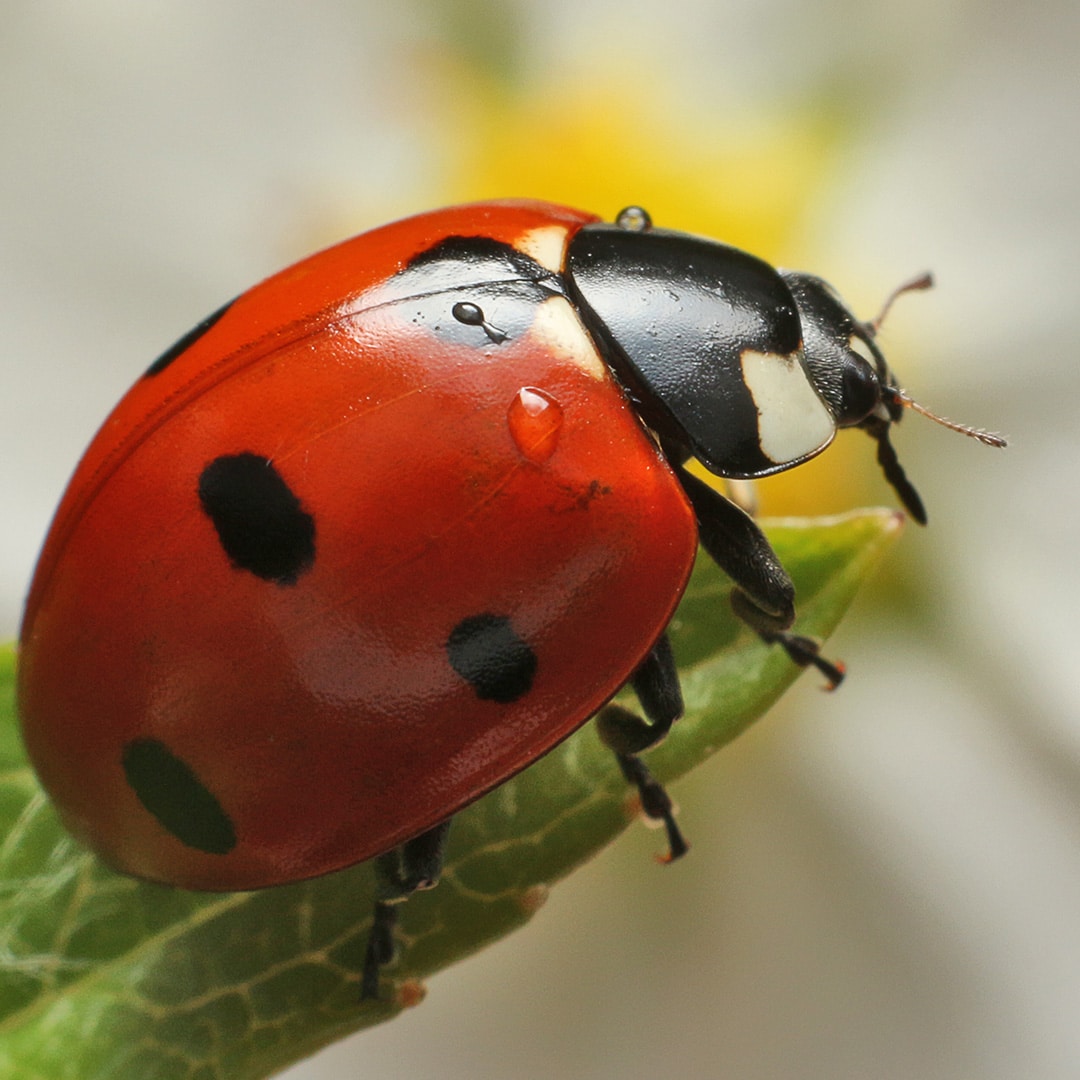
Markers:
447,480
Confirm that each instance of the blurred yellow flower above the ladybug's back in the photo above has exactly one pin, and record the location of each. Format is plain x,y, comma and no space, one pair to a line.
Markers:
613,143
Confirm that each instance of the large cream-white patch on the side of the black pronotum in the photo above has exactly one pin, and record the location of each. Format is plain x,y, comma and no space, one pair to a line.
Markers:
793,422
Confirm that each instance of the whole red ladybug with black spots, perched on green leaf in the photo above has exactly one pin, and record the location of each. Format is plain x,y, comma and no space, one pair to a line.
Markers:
383,531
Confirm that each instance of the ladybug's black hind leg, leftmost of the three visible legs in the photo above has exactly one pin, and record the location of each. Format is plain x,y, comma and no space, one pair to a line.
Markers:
414,866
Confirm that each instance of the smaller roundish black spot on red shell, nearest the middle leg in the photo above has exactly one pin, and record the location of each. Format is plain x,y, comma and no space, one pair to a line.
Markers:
492,658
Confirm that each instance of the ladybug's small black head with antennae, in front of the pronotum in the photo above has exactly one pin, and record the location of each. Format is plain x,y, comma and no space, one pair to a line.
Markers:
853,377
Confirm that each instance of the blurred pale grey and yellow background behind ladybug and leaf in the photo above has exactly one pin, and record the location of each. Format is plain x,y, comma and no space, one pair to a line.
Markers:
885,882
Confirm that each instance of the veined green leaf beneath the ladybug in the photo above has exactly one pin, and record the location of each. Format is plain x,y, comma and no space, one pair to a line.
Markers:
104,978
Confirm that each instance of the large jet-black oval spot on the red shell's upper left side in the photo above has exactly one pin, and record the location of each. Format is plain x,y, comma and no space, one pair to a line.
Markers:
261,523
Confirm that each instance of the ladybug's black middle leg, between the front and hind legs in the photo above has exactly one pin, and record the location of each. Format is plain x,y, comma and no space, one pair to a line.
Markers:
628,735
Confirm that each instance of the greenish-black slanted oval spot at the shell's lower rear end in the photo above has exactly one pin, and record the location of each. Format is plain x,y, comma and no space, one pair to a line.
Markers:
171,791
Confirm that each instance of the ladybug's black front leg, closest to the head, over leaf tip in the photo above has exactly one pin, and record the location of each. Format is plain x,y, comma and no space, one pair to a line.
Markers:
764,597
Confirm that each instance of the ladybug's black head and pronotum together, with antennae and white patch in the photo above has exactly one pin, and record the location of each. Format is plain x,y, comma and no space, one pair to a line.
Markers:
748,370
